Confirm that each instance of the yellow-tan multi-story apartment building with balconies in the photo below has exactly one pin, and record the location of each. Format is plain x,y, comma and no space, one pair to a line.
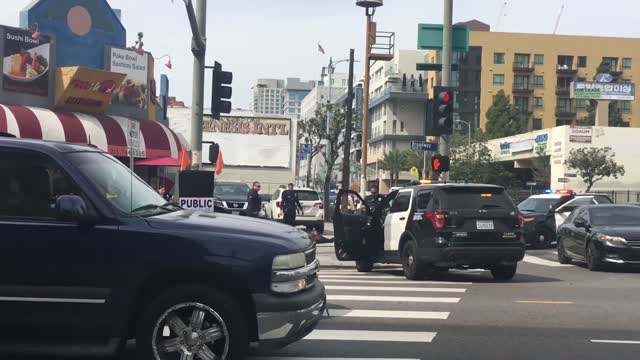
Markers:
536,72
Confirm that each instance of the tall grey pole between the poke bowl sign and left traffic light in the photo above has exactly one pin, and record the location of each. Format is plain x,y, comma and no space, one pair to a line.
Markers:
198,22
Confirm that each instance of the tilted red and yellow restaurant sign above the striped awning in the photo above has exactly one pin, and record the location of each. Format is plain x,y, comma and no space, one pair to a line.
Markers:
85,90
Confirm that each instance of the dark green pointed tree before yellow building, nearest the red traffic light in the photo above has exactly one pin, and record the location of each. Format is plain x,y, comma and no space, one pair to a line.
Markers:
503,119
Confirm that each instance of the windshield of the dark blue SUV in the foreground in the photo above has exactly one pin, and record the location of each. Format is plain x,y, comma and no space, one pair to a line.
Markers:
114,181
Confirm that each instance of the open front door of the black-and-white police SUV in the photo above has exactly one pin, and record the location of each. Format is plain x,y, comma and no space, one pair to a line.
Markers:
350,228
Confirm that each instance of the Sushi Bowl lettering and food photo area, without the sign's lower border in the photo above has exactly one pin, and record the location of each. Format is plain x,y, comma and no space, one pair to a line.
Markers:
26,62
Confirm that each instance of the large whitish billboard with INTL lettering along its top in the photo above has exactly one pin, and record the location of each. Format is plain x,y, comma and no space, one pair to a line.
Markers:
250,141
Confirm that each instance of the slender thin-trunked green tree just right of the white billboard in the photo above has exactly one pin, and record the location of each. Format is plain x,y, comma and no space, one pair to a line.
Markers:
329,143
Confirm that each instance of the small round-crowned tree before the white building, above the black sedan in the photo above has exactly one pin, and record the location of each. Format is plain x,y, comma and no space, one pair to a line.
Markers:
594,164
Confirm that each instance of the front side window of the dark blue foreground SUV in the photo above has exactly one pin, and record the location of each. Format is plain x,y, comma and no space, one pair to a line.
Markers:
30,184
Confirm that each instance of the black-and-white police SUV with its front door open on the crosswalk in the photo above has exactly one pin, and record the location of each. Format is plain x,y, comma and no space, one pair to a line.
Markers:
434,227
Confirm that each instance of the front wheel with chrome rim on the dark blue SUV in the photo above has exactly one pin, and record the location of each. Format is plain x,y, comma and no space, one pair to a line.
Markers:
220,312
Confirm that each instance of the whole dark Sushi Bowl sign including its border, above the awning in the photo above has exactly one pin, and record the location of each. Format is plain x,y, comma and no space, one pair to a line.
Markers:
27,66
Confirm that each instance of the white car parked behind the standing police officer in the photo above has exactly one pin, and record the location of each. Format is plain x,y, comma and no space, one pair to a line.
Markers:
312,206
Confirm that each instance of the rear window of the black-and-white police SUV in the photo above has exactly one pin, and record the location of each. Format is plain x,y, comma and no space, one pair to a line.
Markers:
475,198
